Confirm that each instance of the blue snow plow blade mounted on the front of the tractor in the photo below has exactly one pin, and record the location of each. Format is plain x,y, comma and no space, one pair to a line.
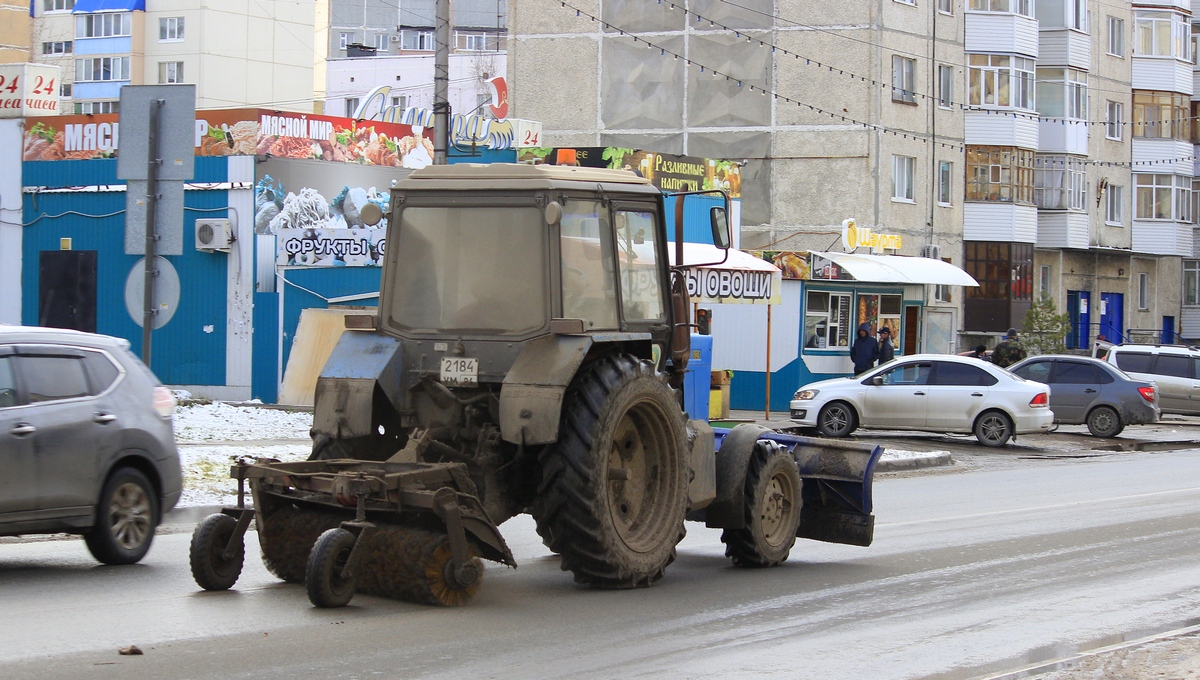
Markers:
837,486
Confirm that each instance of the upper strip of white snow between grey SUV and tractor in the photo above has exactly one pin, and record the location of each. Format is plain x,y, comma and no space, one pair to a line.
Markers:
225,423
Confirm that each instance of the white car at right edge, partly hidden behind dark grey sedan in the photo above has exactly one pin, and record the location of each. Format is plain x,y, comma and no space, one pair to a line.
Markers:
1175,370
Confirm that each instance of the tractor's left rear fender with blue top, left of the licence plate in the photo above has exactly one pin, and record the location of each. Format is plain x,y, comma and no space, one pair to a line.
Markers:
345,396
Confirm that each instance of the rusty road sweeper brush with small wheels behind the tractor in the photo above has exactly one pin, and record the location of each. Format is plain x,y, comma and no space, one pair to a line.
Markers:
411,532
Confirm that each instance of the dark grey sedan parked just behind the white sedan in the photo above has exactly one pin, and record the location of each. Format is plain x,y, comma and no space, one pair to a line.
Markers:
1085,390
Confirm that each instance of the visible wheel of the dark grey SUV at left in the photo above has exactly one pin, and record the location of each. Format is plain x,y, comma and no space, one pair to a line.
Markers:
127,519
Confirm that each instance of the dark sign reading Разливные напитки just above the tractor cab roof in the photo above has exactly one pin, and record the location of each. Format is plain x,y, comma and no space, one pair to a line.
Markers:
668,172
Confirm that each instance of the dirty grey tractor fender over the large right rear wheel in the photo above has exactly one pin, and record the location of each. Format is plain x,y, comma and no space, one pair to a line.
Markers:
532,395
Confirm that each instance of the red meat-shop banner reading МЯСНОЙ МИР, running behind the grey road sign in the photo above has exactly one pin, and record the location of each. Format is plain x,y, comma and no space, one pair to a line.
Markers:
244,133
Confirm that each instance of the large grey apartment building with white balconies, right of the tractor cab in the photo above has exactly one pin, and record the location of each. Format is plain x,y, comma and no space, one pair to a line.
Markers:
1041,146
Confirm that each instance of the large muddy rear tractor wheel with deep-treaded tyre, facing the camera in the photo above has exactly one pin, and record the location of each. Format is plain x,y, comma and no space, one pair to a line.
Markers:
615,489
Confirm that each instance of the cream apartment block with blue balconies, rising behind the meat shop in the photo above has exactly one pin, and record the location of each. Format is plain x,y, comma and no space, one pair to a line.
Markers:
238,53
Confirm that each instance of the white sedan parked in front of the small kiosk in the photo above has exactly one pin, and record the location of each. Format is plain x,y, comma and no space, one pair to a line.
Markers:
934,393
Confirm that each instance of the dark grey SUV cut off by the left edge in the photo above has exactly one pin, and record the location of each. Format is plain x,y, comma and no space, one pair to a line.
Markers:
87,442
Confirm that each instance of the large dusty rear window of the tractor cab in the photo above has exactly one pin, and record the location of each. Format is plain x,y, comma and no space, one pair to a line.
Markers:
469,269
